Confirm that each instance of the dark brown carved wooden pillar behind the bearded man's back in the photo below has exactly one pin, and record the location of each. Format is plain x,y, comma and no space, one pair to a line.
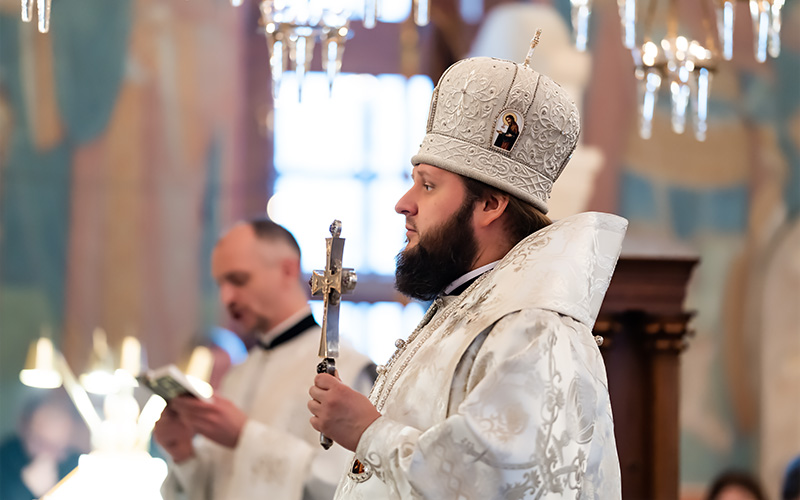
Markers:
644,326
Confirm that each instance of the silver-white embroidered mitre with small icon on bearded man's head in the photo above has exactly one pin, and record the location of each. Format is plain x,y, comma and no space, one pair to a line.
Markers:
501,123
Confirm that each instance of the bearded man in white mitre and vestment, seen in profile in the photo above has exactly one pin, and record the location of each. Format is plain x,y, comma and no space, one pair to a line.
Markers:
500,392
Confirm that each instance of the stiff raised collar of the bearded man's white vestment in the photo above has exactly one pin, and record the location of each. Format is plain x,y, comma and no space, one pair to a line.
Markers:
565,268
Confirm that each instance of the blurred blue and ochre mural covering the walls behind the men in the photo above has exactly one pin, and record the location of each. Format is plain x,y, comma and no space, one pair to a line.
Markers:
120,141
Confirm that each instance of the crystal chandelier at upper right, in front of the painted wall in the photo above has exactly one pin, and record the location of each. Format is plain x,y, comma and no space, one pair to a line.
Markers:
683,65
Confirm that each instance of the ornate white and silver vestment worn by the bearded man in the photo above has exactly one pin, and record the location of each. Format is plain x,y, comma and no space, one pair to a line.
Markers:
501,391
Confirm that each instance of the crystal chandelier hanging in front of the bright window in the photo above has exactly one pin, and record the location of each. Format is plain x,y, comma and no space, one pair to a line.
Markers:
293,28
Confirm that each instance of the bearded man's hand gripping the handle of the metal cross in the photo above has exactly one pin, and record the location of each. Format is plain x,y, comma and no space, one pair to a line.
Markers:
339,412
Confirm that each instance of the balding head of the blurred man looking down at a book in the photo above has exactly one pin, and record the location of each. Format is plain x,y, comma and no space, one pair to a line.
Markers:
256,265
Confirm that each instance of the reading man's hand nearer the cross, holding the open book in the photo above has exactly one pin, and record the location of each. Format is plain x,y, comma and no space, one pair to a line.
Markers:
218,419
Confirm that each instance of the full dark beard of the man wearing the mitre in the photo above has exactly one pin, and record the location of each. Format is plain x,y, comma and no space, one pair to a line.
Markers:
438,259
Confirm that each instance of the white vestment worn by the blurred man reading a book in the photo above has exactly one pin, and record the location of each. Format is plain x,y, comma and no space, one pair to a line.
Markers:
278,456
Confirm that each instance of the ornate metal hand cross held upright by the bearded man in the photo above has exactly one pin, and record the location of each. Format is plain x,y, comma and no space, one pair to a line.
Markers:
331,283
